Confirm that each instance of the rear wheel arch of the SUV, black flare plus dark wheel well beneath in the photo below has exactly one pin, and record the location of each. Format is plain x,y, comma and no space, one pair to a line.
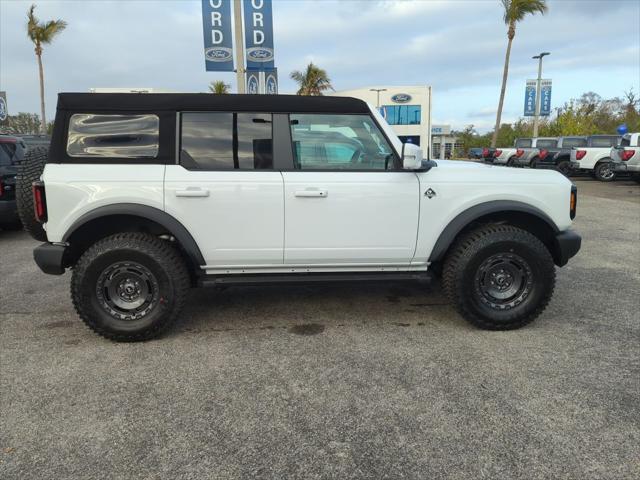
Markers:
129,217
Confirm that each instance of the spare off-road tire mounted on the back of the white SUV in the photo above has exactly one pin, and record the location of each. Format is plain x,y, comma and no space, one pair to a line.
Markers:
29,170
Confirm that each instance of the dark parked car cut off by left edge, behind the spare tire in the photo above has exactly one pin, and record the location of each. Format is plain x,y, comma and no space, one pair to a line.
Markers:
12,150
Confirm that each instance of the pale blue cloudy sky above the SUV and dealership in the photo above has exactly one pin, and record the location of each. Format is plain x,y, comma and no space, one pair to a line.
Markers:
456,46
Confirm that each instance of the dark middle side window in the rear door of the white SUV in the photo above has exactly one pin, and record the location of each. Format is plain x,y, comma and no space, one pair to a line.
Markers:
226,141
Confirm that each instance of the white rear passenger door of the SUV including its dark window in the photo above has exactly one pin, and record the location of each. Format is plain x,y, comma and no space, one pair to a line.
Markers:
225,189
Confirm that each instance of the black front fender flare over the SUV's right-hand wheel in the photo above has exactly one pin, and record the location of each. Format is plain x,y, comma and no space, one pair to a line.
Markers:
464,218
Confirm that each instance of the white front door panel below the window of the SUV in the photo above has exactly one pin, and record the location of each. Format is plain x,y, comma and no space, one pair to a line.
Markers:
357,218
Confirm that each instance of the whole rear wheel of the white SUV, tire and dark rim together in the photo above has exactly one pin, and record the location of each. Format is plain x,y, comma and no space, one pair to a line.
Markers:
130,286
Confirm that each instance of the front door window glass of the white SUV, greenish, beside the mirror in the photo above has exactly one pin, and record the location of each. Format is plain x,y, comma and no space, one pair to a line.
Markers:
339,142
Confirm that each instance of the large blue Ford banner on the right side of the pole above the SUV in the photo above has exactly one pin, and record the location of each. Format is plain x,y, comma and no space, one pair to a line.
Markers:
258,34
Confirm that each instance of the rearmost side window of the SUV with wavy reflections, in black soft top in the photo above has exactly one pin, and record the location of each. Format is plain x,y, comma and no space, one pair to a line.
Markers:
113,136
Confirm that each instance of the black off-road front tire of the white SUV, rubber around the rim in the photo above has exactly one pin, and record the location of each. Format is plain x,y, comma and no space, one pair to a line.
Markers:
466,257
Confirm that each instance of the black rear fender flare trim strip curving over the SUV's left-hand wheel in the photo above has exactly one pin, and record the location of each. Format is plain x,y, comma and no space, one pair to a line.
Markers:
156,215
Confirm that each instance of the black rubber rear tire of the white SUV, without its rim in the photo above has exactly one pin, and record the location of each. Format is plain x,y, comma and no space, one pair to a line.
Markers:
162,262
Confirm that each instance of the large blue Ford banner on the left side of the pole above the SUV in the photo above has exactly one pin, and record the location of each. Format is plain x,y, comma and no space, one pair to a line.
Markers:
216,27
